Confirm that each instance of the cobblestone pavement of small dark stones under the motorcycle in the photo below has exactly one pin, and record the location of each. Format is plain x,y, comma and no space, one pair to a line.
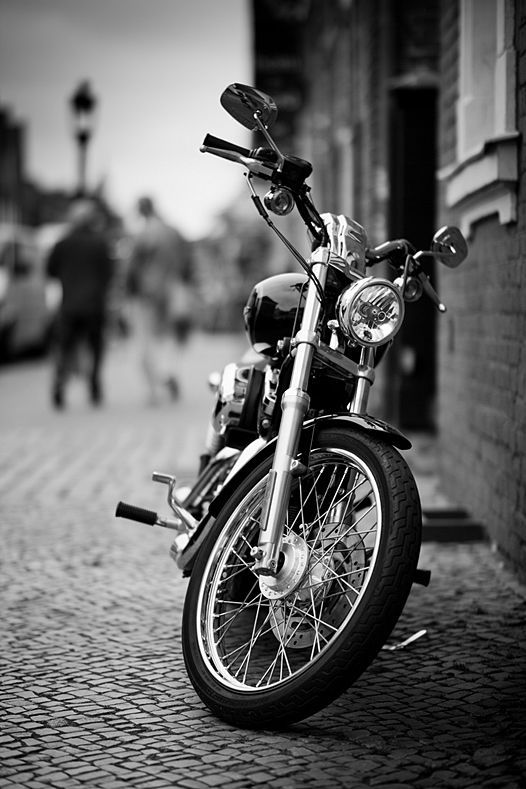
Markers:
93,691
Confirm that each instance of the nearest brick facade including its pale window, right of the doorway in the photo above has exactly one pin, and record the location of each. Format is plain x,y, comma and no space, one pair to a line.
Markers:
482,186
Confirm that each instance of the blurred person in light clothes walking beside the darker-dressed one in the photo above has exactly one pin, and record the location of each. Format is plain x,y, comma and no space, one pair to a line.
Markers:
157,275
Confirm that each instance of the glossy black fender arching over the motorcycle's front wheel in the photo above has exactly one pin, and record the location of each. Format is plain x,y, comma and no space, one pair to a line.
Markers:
359,422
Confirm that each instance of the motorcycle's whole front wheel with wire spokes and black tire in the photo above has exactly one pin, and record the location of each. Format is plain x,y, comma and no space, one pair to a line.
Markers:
267,652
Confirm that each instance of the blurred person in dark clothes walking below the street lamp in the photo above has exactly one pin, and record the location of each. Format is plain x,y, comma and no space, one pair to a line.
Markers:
81,261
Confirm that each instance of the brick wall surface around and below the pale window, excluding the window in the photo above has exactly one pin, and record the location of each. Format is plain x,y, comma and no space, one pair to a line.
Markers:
482,349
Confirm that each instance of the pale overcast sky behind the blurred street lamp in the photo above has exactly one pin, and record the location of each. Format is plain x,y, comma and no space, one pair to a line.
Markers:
157,68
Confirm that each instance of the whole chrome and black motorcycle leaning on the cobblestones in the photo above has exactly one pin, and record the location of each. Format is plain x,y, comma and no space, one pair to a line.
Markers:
302,532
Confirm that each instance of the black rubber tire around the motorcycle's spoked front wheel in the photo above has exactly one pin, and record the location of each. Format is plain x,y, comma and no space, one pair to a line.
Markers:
367,630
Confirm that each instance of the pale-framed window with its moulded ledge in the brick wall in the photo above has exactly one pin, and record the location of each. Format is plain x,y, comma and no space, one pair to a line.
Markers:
484,179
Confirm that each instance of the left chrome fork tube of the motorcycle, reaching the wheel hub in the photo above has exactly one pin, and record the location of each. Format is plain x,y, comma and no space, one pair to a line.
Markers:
295,404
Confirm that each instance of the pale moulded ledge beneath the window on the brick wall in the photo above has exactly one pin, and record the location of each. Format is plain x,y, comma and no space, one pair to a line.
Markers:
485,183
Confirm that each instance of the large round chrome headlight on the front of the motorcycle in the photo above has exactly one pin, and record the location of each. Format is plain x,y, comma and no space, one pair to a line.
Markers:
370,311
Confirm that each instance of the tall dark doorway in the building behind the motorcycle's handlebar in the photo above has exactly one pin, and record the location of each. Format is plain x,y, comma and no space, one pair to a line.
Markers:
412,215
